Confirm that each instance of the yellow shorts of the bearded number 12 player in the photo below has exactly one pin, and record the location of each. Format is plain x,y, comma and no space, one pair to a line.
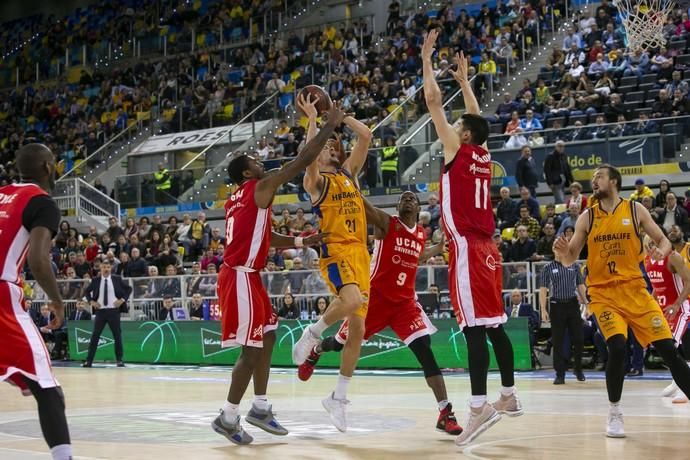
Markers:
629,304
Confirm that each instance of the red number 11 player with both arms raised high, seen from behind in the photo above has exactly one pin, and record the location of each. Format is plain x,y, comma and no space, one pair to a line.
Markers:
474,264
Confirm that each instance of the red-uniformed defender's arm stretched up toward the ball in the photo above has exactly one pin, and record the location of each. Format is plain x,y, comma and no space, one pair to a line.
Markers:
266,188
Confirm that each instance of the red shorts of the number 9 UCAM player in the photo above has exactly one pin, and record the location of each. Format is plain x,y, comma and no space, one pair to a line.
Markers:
407,320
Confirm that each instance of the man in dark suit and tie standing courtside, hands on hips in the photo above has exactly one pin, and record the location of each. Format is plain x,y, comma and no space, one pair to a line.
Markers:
107,293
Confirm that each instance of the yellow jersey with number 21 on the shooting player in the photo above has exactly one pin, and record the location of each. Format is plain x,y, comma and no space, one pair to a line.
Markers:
340,212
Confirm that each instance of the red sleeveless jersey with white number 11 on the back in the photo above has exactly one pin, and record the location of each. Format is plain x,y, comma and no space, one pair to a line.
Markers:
465,194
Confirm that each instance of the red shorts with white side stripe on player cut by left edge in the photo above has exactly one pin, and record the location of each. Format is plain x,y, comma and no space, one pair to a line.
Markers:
22,350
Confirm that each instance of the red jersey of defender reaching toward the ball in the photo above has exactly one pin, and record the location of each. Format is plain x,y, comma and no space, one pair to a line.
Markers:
247,229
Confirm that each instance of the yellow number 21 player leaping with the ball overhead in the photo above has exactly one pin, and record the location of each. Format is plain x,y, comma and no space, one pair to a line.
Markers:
331,182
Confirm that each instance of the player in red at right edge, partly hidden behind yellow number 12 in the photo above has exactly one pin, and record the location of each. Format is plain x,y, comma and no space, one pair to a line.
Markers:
670,279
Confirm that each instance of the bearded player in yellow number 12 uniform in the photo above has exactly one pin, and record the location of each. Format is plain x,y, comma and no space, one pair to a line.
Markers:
617,285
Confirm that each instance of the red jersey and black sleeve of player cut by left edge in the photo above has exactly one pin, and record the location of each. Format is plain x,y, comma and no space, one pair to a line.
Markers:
17,219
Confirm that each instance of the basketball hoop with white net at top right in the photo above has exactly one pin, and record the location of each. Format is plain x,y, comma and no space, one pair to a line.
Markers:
644,21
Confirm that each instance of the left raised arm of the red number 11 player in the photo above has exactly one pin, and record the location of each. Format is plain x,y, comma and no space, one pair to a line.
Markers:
434,101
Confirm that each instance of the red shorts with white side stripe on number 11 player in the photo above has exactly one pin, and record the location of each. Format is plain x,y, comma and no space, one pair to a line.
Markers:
475,281
